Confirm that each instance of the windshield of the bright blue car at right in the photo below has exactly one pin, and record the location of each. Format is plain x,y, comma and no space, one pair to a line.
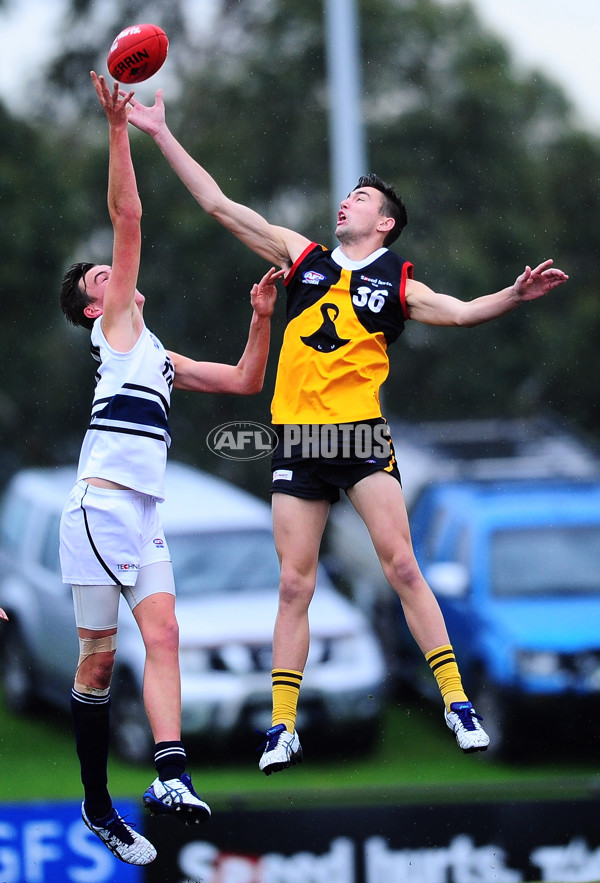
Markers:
546,561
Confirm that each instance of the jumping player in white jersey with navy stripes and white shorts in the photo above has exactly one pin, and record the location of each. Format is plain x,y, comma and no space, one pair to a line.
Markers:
112,541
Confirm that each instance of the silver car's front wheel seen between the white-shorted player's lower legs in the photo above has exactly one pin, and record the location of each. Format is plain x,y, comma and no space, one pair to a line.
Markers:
131,734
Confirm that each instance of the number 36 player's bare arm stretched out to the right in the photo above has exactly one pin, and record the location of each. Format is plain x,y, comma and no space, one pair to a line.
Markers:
432,308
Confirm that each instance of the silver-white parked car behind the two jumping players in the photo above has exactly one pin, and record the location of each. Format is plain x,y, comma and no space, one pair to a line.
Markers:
226,573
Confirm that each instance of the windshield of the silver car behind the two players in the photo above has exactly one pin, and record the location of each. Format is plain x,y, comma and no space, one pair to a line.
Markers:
224,561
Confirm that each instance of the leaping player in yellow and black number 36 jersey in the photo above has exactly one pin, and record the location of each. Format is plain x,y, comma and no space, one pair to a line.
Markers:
347,306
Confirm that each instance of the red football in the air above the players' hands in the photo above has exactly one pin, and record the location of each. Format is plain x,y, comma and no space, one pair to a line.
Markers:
137,53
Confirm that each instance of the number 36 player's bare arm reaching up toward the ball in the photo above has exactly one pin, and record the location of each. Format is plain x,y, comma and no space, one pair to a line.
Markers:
277,245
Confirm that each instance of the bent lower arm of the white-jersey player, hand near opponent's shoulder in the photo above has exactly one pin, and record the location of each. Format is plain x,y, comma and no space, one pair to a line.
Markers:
248,375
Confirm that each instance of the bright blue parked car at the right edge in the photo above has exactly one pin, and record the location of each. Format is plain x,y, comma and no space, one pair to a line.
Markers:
515,566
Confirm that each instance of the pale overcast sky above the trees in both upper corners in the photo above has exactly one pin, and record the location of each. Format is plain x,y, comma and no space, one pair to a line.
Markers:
559,37
